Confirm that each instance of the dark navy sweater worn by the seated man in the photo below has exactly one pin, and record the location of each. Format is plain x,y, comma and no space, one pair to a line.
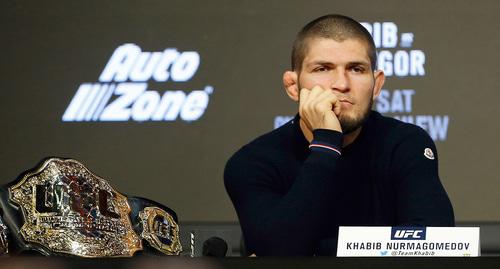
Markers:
290,200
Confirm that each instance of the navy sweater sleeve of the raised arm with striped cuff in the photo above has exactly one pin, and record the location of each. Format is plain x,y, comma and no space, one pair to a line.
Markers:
274,223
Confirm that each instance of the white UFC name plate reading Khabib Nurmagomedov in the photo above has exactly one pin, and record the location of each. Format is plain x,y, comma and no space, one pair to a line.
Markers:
408,242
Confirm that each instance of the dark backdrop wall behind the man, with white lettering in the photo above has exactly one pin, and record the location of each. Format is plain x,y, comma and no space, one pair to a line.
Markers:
51,48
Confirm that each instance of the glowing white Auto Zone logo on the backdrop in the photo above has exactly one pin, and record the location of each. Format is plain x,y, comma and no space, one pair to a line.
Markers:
122,92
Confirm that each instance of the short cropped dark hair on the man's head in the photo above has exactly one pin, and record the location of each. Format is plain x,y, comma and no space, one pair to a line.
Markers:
332,26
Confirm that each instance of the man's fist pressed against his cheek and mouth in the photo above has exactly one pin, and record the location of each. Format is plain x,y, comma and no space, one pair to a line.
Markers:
319,109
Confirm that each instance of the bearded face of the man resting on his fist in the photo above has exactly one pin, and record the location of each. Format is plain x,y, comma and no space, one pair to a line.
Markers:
343,67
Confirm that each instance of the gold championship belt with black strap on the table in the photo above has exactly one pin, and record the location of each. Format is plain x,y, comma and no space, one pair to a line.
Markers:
62,208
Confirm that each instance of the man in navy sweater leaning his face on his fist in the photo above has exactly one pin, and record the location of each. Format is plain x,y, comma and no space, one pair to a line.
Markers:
338,162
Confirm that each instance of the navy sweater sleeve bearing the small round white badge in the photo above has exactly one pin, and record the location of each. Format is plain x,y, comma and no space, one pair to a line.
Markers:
421,199
